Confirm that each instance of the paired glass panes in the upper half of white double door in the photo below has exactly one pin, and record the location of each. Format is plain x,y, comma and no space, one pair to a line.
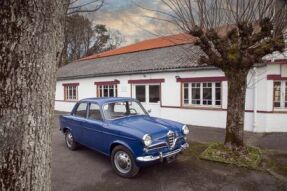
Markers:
148,93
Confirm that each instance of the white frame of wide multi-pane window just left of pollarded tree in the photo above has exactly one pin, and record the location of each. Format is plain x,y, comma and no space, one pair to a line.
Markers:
213,95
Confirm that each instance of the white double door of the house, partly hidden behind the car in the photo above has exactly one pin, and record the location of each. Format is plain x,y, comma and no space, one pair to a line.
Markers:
149,96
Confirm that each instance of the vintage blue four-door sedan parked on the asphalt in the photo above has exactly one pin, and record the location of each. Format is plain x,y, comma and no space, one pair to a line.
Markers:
122,129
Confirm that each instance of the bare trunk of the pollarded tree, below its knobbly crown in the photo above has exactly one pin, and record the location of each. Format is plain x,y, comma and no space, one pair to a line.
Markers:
235,109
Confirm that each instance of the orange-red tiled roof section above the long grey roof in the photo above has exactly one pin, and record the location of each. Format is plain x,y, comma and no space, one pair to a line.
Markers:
160,42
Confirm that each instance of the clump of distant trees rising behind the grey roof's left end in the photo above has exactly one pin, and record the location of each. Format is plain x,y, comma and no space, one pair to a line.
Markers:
81,39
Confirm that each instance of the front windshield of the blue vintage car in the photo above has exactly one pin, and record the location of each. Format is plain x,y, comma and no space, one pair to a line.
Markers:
120,109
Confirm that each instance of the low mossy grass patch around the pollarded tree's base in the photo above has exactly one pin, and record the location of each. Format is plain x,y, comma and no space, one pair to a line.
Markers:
251,158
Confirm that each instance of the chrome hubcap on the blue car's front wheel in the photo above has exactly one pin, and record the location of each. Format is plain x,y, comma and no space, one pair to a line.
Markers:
122,162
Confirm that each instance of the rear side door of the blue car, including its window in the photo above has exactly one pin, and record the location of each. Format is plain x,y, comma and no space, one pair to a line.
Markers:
78,120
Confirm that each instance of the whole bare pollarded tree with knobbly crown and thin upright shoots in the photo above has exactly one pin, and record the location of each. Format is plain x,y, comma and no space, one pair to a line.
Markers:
233,35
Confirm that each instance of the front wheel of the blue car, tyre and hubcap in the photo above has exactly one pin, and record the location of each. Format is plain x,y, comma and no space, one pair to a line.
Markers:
123,162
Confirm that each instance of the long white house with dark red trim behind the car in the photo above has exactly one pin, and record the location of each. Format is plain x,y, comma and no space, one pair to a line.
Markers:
164,75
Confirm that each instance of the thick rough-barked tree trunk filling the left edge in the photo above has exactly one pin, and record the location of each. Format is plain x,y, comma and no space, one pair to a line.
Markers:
31,39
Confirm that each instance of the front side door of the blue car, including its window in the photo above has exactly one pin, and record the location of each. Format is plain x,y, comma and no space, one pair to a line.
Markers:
94,128
